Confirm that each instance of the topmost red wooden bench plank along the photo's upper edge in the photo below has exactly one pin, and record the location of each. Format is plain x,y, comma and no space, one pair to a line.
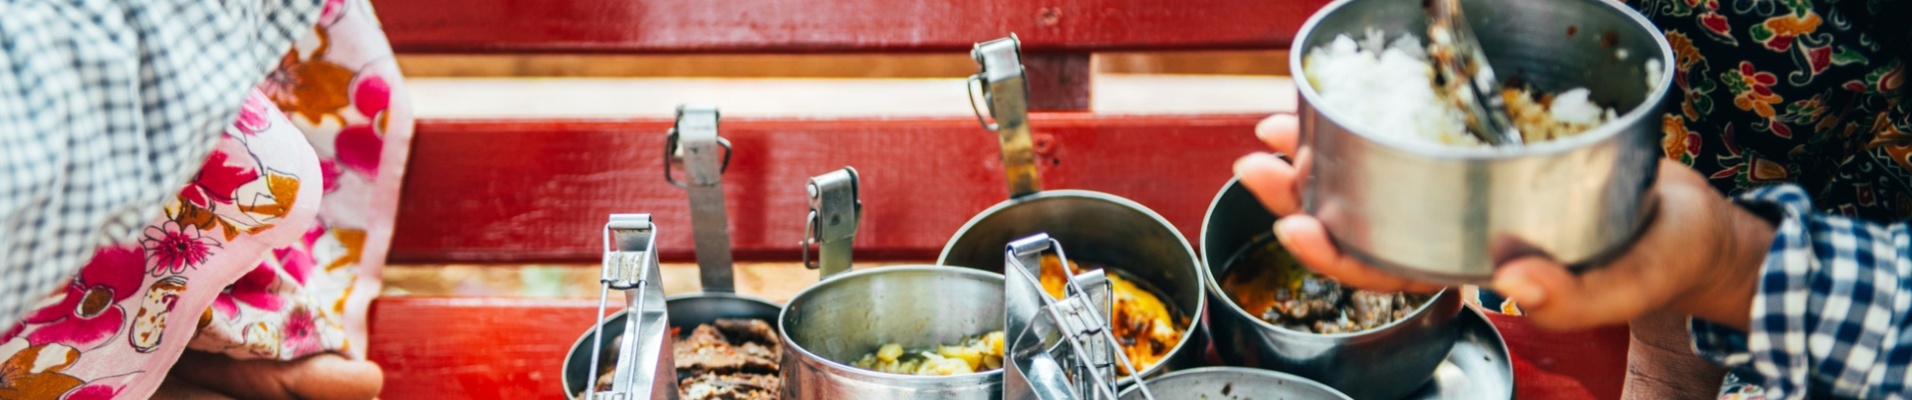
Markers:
835,26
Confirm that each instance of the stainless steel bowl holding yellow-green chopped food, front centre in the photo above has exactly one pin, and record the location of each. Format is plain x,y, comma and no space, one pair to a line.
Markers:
838,321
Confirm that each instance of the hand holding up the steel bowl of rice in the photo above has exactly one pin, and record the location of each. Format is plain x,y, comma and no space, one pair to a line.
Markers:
1701,256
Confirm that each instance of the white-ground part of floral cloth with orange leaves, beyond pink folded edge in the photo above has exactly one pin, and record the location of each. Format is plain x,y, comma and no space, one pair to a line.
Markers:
343,89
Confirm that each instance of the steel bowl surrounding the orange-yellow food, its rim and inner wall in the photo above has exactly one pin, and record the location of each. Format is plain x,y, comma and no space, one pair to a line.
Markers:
1098,229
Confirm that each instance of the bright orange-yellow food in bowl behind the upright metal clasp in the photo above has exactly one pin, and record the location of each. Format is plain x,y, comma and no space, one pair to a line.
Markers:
1142,324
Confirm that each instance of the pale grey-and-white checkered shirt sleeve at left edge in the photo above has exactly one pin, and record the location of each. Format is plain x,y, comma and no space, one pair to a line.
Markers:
106,110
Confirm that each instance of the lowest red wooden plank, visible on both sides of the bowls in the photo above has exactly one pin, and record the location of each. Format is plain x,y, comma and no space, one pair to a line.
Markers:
437,347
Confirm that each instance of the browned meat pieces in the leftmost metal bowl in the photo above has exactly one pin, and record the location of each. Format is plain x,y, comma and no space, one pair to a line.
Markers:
728,359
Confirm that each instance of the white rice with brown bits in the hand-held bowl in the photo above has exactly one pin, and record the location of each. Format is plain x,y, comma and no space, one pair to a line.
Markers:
1391,89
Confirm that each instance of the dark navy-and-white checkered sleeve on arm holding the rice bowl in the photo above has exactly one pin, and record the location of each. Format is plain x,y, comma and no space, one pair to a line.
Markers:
1831,311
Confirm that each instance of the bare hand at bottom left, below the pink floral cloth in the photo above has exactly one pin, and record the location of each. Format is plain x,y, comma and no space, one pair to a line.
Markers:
316,378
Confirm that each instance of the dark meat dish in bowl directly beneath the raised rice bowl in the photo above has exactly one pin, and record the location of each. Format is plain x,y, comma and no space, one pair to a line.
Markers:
1267,282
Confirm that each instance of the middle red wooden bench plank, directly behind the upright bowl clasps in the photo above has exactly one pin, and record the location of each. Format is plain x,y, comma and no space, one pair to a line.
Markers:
540,190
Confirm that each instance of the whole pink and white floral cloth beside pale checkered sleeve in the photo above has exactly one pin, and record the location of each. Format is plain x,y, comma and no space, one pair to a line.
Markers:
271,252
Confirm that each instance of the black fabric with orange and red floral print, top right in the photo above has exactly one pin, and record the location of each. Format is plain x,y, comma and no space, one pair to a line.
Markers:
1794,91
